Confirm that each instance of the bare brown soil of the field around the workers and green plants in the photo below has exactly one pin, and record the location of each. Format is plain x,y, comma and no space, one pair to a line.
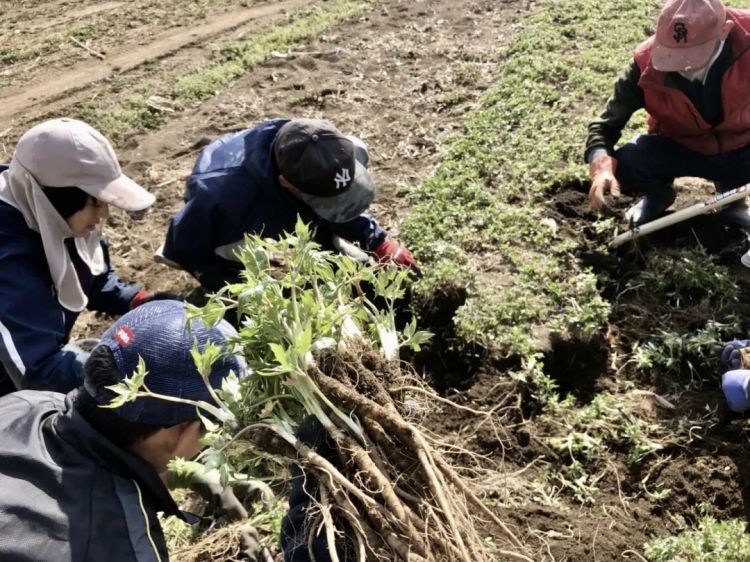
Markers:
402,75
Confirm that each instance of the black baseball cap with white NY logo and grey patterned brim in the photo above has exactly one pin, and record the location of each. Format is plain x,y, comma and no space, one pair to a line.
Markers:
318,160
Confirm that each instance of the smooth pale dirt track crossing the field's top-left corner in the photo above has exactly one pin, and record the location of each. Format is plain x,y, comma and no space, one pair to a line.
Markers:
43,91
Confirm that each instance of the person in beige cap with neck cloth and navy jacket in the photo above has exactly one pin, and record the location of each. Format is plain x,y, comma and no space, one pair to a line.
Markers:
54,198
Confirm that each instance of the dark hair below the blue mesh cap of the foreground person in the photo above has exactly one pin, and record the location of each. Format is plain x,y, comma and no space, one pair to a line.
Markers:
100,372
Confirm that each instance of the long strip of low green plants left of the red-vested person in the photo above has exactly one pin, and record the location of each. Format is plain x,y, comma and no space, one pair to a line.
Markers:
486,201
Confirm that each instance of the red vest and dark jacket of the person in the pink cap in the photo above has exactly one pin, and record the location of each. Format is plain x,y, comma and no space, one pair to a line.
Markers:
702,105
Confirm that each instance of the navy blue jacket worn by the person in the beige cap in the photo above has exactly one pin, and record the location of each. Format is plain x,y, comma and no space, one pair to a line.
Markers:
33,324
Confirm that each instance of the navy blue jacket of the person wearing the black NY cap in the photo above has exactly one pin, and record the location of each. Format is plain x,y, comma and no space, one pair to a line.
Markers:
234,191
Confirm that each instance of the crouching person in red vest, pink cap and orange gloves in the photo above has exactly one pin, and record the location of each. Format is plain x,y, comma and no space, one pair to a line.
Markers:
692,78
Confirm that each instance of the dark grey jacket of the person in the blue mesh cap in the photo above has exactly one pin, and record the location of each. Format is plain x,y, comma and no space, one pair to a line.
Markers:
69,494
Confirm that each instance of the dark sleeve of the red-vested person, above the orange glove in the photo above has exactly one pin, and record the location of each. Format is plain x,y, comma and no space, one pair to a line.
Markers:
605,131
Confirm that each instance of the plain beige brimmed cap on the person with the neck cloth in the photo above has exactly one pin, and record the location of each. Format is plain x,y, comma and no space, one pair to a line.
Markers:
69,153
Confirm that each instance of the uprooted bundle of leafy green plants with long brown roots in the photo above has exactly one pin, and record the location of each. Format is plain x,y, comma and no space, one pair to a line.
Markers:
319,334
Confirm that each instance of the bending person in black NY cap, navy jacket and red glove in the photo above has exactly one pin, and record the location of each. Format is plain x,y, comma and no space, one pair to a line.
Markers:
259,181
